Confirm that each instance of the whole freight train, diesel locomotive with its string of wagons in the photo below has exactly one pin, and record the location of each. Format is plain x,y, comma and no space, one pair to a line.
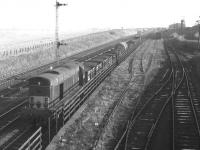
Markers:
50,87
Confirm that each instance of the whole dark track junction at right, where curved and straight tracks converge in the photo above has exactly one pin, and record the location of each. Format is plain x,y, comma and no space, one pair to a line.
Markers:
176,93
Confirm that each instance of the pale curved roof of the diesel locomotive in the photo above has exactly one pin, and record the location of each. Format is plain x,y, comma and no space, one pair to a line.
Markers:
57,75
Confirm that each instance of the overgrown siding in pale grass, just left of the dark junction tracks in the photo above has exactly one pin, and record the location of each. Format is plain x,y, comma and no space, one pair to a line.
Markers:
136,87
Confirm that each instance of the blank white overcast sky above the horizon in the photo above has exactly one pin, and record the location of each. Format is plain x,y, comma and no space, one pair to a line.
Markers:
86,14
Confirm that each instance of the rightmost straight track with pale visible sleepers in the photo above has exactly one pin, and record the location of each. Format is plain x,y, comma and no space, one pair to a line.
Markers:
186,127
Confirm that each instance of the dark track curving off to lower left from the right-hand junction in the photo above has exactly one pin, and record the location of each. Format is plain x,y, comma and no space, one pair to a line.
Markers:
143,123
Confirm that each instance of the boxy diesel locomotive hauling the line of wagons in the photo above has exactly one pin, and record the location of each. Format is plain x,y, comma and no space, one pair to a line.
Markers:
47,90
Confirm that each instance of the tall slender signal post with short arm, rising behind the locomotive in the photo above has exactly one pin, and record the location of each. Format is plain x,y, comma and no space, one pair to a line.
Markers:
56,32
